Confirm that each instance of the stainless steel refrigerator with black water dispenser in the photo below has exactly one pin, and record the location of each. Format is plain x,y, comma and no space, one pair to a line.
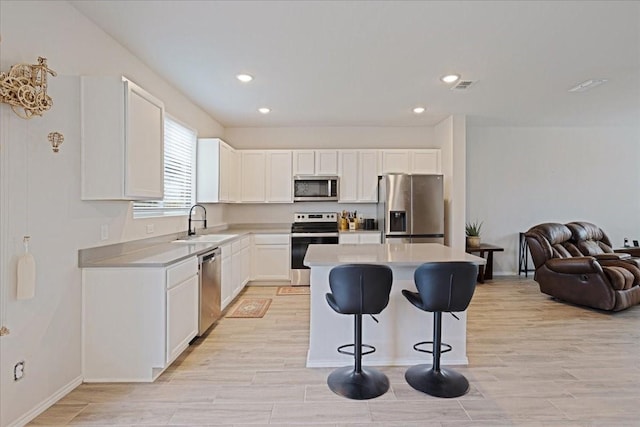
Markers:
411,208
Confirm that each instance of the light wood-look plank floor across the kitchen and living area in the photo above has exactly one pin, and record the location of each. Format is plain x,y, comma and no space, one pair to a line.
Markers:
533,362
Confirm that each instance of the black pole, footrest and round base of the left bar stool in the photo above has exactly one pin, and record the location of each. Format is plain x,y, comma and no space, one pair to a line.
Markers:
357,382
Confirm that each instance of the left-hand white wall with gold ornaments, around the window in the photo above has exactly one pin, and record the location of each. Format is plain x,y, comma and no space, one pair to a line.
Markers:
40,196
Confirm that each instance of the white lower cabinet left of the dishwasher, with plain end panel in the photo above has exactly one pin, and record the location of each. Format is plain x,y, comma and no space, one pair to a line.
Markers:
136,321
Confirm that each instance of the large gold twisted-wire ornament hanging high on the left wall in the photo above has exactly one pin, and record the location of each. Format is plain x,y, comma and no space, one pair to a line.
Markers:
24,87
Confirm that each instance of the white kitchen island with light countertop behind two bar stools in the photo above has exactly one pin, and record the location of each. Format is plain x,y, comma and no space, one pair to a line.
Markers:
401,324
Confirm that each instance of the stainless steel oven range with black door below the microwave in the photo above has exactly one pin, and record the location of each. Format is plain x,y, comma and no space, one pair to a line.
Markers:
310,228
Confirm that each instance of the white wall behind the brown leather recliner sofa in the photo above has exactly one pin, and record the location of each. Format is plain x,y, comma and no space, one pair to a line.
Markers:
520,177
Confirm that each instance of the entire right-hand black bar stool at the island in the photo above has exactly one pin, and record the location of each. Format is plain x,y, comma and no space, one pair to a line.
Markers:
442,287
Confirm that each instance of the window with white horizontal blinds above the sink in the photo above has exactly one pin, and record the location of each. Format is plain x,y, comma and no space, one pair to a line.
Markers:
179,172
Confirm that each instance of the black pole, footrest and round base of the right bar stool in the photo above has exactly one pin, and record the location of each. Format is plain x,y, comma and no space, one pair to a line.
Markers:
432,379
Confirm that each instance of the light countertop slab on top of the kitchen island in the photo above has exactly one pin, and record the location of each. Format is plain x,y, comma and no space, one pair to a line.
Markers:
398,254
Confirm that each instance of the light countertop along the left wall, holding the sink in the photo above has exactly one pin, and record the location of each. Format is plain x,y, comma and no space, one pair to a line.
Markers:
161,253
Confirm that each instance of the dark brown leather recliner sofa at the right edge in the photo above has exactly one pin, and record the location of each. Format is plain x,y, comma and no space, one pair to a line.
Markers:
576,263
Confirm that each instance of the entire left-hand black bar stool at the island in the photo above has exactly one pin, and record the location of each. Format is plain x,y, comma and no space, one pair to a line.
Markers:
359,289
